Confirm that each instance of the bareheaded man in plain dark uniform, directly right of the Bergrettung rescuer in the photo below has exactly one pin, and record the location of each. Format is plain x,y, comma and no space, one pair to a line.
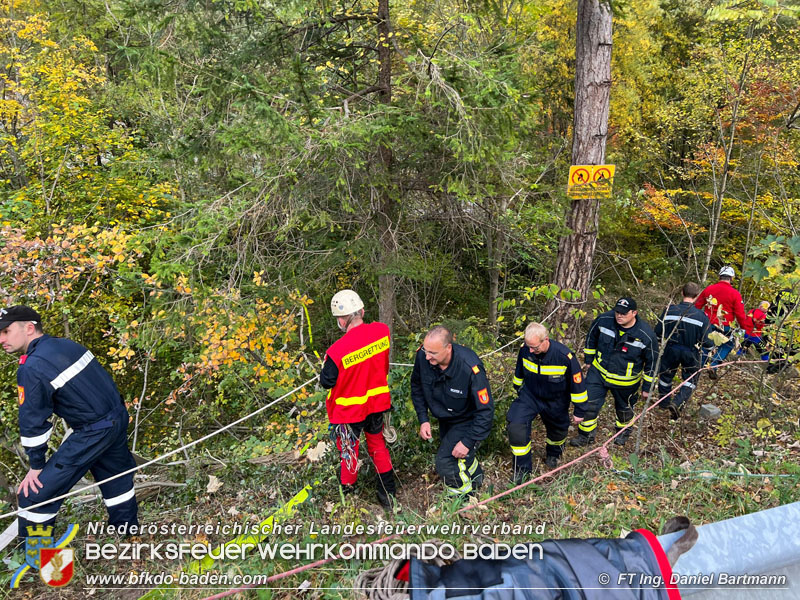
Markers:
449,382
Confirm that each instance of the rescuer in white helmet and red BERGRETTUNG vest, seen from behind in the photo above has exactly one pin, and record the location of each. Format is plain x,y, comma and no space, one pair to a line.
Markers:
355,371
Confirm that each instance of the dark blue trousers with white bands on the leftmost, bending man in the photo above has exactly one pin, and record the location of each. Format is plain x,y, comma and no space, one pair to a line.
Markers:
104,452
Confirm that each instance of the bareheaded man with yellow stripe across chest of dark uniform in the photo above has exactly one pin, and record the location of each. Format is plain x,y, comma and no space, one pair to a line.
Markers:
547,378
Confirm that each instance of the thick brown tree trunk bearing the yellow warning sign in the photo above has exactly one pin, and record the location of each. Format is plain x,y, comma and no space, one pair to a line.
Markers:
590,127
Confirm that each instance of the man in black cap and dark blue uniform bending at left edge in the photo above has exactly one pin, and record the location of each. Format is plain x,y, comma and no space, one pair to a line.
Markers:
56,375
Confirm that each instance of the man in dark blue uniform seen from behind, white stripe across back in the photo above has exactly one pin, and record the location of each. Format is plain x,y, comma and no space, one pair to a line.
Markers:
684,329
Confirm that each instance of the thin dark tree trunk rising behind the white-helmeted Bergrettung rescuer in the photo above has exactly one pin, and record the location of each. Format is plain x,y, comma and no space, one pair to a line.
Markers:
387,216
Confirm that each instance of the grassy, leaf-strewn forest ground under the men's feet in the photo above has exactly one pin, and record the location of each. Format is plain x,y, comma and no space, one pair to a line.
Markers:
745,461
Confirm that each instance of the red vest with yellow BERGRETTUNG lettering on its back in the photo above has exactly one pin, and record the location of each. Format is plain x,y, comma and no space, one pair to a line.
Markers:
362,357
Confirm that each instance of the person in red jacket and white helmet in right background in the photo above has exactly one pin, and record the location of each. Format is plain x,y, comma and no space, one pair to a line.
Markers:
722,303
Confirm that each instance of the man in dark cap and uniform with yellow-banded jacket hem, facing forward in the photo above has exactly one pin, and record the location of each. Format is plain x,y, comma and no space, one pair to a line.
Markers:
622,348
